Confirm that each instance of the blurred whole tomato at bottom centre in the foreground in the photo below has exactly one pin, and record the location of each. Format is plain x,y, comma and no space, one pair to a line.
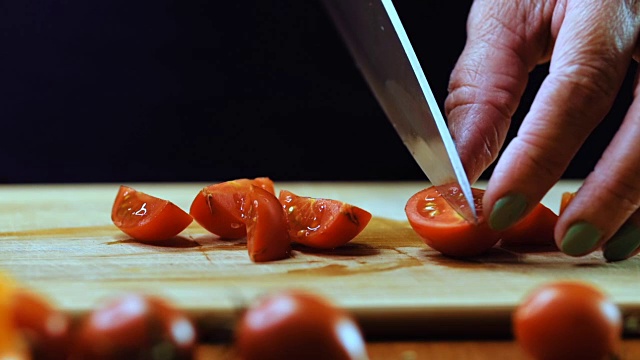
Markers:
292,324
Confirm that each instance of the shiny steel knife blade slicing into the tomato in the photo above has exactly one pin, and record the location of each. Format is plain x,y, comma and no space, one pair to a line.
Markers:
377,41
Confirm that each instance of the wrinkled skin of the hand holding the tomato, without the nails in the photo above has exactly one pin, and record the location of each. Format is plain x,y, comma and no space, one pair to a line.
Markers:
589,45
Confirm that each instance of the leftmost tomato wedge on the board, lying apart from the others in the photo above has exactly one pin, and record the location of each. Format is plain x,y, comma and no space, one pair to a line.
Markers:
147,218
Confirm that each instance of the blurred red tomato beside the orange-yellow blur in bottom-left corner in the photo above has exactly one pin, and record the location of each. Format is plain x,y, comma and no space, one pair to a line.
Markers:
46,330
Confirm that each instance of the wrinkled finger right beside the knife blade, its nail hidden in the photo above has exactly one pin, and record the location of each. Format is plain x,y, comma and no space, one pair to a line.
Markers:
504,44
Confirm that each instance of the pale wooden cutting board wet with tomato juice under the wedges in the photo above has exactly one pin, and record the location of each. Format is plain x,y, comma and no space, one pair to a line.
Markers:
59,241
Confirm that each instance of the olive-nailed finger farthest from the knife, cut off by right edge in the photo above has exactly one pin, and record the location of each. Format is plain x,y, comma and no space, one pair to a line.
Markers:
605,209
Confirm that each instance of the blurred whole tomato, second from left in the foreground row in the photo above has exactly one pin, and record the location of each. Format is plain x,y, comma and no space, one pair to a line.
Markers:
135,326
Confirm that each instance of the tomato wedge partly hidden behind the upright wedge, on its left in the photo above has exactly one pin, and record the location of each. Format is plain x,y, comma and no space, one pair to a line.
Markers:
218,207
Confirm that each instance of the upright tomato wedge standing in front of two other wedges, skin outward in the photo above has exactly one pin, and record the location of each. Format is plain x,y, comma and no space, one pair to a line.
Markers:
267,229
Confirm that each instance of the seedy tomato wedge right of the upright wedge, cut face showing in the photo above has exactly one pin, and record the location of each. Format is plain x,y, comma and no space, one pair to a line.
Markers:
322,223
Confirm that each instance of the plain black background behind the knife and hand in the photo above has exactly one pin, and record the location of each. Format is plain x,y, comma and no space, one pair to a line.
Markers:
194,90
